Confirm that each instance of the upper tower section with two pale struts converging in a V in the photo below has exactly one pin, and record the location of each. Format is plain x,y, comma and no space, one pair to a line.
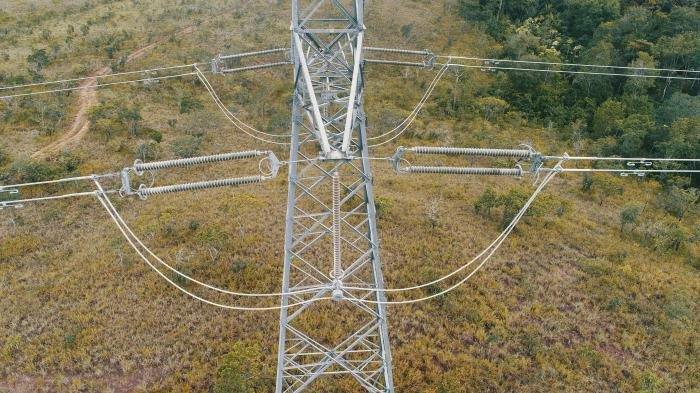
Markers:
327,38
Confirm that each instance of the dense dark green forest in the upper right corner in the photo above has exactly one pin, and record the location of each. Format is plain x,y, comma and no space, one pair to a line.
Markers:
628,117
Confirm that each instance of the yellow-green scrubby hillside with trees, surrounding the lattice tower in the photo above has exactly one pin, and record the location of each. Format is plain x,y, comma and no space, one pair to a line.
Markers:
597,290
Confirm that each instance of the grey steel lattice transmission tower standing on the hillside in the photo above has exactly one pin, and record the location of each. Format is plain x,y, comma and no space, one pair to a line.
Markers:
331,233
